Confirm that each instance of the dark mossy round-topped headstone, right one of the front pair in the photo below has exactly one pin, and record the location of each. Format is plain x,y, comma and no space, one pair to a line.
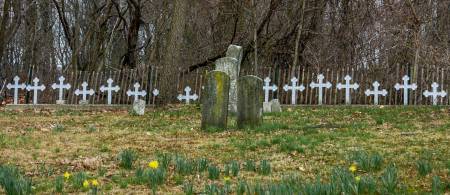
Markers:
250,101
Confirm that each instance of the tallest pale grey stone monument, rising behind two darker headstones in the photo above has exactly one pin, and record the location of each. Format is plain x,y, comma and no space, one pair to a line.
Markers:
231,66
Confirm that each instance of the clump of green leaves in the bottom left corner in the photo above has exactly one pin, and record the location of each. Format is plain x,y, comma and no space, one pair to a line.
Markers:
13,181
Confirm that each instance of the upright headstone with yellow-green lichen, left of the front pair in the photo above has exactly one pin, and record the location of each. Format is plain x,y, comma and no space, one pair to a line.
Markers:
215,100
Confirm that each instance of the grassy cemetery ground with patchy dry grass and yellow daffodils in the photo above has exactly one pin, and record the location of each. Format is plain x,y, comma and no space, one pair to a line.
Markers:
302,150
